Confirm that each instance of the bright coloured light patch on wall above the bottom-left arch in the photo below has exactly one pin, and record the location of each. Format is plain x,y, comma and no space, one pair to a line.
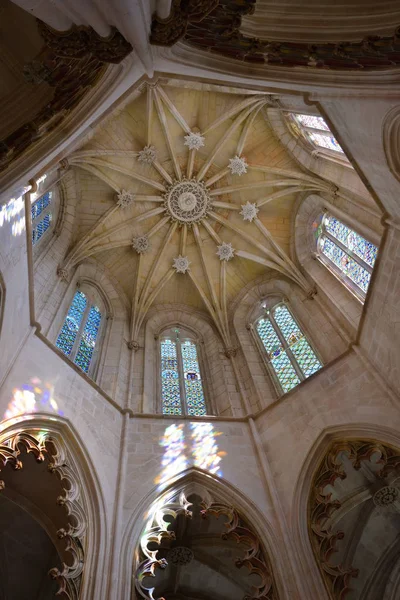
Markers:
30,398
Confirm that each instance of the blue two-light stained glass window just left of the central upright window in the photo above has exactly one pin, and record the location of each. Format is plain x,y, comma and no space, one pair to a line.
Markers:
80,334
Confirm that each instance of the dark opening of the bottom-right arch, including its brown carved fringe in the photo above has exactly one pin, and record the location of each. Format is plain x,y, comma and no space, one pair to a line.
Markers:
354,518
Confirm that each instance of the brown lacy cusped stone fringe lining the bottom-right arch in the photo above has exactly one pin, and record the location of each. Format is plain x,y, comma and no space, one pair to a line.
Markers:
321,505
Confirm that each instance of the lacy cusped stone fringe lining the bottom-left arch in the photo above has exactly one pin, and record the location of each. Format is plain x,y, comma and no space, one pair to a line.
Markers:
35,442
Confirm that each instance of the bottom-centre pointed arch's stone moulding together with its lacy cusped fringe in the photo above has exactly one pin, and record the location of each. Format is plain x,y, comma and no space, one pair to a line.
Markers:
264,554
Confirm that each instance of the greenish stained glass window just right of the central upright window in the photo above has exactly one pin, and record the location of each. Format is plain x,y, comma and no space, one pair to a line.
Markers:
289,354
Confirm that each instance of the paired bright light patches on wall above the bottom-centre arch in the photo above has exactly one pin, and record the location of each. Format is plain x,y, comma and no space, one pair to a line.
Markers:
201,450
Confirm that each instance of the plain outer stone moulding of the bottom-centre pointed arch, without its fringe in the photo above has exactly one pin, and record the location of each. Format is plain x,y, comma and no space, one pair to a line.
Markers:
214,490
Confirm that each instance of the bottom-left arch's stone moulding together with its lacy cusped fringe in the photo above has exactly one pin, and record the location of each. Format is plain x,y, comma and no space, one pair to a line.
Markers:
84,531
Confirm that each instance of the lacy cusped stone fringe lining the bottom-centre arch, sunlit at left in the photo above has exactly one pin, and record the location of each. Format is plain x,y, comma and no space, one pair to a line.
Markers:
254,557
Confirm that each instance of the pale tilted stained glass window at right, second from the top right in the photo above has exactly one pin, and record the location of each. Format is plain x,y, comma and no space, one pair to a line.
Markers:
350,256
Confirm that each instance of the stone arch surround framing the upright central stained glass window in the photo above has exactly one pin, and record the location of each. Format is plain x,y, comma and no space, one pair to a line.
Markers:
215,364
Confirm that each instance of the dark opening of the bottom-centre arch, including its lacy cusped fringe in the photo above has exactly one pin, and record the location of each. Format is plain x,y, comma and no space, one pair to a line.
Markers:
193,543
